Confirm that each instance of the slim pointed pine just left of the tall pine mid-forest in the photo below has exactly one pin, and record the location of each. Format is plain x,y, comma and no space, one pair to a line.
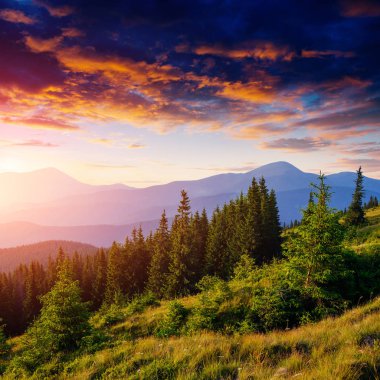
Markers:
159,266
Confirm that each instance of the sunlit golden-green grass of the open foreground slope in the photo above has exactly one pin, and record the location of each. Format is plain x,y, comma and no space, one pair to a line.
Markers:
347,347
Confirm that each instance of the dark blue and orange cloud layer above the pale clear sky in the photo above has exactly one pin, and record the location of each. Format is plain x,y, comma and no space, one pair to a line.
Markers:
298,77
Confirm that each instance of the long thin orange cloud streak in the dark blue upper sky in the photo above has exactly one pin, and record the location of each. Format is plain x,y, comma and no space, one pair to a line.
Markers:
261,50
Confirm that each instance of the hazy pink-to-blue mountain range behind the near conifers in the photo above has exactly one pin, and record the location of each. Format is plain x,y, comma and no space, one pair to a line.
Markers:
47,204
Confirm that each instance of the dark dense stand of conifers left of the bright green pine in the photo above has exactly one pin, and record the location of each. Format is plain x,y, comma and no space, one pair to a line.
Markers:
169,262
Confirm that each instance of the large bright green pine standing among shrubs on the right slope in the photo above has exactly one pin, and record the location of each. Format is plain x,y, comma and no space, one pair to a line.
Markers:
314,249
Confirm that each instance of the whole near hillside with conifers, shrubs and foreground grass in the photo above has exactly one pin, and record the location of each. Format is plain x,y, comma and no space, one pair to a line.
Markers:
141,309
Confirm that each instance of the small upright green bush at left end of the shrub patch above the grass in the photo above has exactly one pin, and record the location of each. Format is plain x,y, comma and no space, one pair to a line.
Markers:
173,321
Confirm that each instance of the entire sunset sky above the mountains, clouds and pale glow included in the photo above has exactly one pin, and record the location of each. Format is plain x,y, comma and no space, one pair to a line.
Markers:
147,92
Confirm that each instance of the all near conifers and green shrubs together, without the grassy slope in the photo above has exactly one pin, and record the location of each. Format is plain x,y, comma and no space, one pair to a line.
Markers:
272,279
